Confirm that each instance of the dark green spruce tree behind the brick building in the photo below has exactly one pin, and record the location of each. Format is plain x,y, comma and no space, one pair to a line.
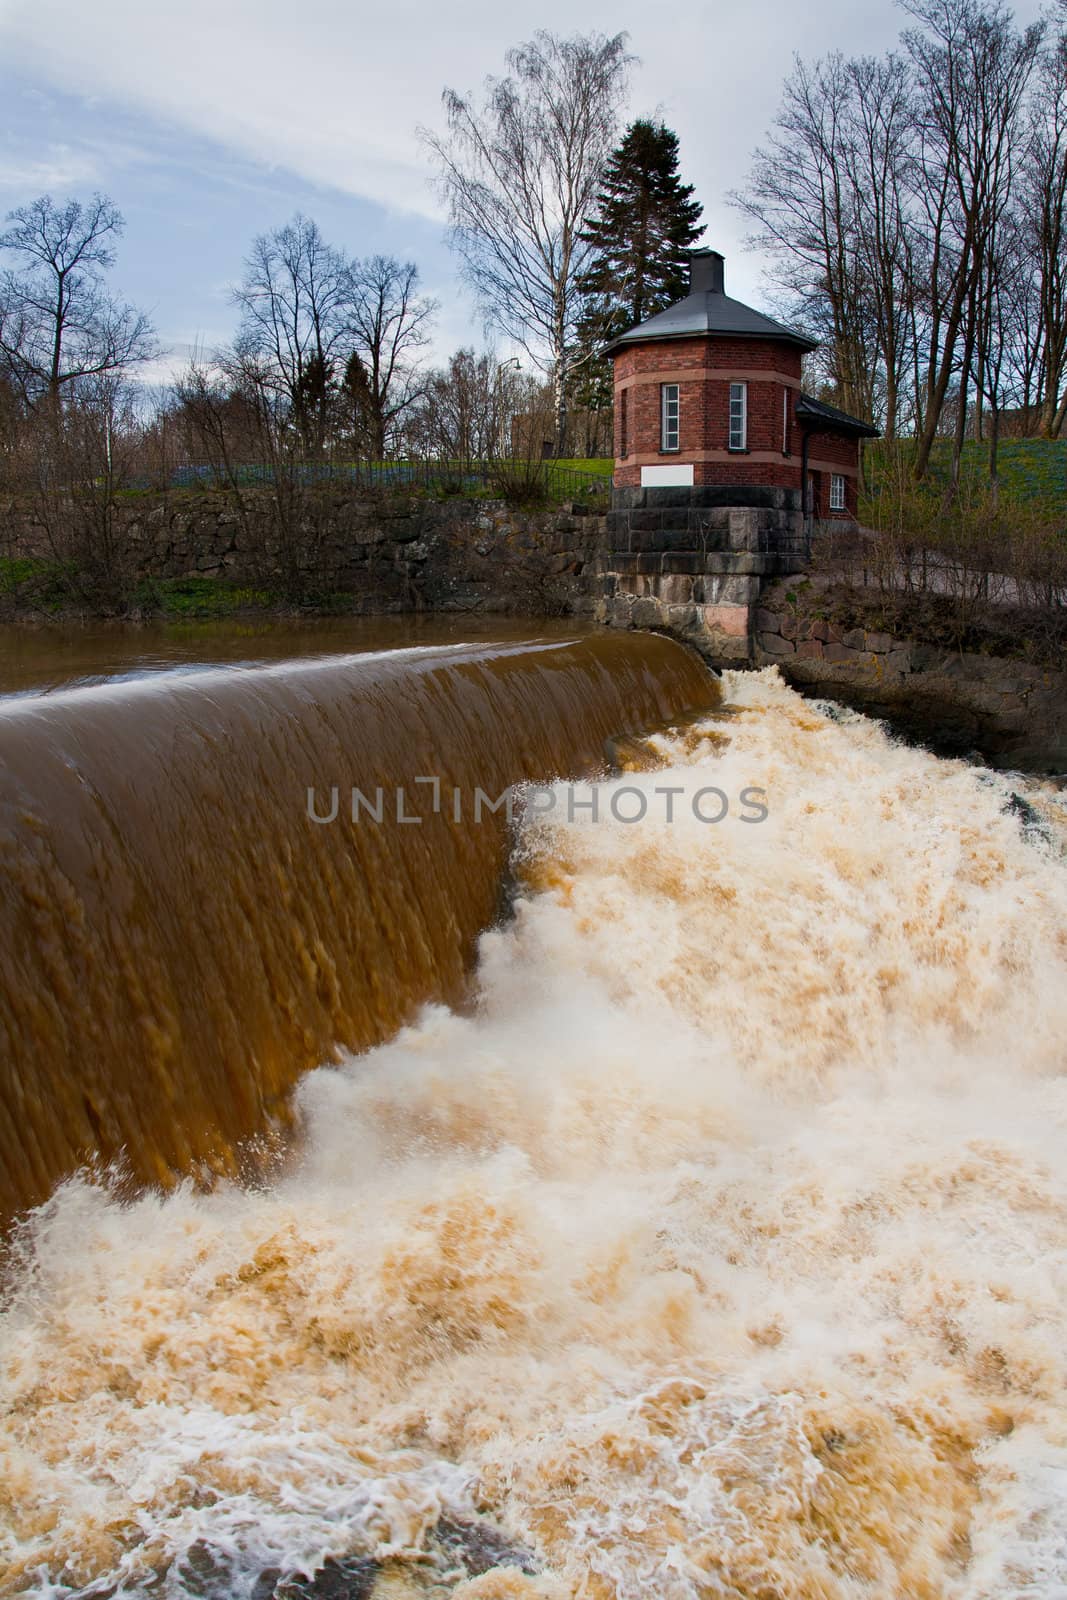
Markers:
645,225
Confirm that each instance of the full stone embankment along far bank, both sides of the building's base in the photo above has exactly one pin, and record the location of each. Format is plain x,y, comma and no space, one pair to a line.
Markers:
727,572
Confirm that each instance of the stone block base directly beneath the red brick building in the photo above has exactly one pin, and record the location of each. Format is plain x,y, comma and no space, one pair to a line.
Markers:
695,561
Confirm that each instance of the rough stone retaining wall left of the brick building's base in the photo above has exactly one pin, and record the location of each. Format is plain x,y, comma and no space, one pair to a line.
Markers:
383,553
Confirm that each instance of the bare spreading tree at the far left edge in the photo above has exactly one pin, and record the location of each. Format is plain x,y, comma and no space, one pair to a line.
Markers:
58,322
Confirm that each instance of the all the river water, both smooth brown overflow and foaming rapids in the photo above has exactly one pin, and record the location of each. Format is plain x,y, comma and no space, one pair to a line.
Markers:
626,1201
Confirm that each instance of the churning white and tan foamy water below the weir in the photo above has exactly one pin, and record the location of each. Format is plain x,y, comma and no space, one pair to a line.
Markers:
716,1250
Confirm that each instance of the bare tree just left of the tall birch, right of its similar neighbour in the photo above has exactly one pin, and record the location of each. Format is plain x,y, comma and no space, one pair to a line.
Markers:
388,324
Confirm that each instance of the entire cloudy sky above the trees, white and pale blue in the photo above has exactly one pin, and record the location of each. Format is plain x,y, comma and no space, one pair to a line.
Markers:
212,121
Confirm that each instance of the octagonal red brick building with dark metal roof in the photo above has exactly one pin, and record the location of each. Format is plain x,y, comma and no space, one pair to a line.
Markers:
708,398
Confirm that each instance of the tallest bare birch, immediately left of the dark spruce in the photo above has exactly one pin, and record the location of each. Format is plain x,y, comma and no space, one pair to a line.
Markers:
521,174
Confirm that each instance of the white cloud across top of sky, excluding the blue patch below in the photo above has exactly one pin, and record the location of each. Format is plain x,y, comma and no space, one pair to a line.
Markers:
334,90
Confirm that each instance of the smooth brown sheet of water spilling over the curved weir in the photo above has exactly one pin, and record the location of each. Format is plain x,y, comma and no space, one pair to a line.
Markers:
180,943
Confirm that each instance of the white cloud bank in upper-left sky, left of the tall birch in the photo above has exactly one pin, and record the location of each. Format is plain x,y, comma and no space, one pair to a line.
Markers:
321,95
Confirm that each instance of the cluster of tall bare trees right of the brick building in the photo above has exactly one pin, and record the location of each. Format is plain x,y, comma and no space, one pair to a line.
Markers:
898,193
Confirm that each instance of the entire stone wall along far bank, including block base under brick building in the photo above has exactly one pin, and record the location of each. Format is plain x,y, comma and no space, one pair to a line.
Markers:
711,578
